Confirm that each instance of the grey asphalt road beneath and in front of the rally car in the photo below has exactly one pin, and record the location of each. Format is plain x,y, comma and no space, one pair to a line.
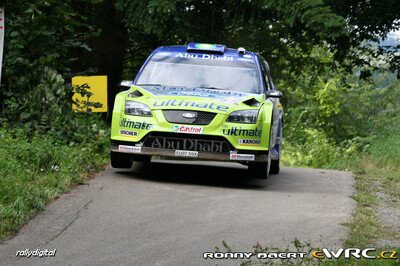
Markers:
171,212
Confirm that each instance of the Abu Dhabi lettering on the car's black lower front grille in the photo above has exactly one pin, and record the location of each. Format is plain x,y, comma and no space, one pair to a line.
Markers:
186,144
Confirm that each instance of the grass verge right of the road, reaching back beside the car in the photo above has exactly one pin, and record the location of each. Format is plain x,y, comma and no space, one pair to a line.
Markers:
376,166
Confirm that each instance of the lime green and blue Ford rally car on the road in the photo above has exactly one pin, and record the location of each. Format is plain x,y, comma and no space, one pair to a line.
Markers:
200,101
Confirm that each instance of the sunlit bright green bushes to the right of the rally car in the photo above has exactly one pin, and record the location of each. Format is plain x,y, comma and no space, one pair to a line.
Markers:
330,113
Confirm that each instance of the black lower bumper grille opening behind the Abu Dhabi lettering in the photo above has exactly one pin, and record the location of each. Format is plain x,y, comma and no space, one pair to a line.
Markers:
187,142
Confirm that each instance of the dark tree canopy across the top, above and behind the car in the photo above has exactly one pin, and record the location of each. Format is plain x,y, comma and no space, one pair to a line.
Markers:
75,36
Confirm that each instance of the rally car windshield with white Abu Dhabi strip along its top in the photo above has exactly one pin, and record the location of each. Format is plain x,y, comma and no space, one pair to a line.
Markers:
201,71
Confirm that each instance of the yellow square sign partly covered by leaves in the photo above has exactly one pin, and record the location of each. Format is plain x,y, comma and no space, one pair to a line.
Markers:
90,92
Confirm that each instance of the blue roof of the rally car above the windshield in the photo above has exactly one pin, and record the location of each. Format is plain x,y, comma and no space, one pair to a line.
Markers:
184,49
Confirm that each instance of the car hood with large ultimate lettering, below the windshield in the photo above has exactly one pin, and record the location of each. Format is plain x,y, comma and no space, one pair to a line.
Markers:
220,101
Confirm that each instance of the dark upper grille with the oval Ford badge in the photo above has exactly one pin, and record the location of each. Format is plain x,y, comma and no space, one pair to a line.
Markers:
178,116
